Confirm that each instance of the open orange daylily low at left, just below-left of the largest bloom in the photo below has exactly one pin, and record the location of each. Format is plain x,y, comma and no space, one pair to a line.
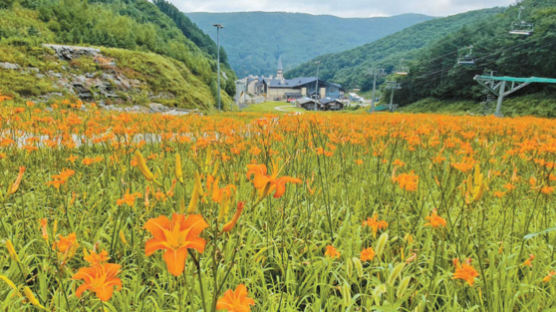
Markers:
99,278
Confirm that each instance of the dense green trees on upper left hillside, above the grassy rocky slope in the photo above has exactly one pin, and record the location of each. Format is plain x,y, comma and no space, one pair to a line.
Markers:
136,25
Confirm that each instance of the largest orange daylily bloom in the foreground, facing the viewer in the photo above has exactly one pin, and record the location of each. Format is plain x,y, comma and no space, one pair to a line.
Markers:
175,236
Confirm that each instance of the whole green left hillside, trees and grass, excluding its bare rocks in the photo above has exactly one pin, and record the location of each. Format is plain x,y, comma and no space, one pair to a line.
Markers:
170,59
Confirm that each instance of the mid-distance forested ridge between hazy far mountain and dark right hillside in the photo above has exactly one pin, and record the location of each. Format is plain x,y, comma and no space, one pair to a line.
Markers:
352,68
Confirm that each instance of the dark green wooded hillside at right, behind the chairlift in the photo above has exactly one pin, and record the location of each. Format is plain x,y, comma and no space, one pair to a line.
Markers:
436,72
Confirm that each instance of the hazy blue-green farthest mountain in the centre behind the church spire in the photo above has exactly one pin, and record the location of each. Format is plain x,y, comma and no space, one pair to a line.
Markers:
255,40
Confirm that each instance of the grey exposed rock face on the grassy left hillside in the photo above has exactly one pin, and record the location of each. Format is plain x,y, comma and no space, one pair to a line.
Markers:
103,82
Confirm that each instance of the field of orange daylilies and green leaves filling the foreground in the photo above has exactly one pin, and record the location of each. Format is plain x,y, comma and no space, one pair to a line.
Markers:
251,212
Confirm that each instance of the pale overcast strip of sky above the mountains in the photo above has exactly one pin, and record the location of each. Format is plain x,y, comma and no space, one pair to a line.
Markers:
343,8
